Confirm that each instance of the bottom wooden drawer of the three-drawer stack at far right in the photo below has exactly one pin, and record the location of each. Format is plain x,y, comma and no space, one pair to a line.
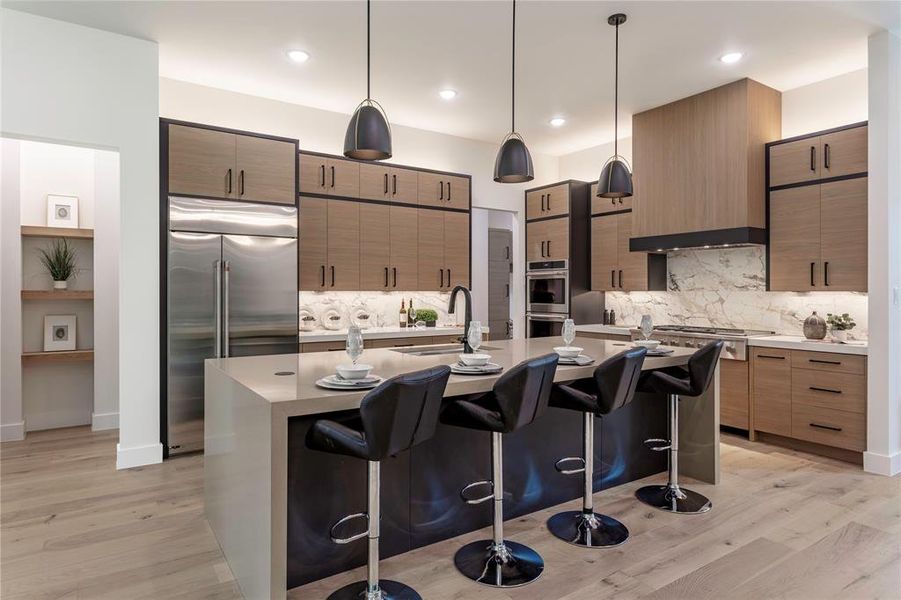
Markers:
828,426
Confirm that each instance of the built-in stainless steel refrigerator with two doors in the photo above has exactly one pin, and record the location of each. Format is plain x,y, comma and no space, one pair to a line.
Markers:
231,291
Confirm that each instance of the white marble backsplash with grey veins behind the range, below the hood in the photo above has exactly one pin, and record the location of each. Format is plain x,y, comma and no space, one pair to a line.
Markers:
727,288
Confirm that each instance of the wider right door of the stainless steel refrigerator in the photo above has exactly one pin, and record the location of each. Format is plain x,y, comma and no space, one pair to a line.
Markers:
259,295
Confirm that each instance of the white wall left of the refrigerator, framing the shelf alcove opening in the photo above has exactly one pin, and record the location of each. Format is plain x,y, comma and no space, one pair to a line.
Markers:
81,86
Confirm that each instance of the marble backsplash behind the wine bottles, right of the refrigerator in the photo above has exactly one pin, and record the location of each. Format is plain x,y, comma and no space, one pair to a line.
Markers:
383,307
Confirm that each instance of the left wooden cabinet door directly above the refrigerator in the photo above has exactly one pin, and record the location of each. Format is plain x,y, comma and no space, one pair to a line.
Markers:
202,162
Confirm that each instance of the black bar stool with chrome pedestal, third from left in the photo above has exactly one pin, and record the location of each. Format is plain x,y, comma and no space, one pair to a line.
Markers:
612,387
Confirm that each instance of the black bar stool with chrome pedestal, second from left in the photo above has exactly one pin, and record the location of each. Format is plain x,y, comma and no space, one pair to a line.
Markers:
519,397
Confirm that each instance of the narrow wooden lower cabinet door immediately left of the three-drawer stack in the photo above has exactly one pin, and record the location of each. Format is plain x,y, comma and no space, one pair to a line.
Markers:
772,390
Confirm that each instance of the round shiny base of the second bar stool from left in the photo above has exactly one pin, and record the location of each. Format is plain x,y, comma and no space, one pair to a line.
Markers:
509,565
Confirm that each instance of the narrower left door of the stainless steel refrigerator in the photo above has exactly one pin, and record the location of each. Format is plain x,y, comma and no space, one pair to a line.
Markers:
193,296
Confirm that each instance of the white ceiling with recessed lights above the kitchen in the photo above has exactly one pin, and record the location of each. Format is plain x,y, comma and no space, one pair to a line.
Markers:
668,50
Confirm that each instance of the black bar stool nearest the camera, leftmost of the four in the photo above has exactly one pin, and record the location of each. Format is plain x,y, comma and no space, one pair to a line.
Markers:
399,414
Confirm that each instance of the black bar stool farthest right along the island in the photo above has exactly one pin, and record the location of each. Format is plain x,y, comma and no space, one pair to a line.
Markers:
676,382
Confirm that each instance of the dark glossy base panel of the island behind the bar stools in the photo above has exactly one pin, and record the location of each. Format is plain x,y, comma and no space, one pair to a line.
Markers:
421,488
